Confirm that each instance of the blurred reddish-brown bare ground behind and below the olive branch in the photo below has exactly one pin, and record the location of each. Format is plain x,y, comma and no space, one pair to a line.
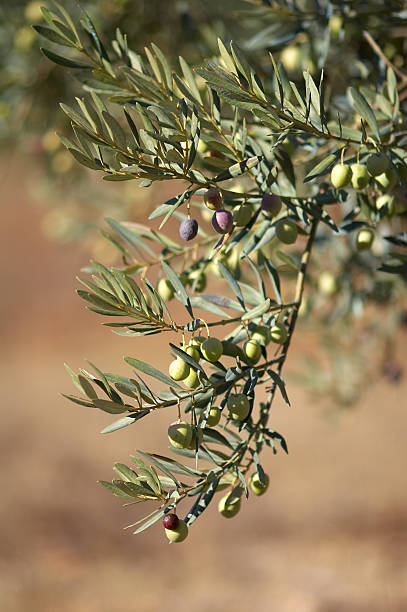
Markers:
329,536
